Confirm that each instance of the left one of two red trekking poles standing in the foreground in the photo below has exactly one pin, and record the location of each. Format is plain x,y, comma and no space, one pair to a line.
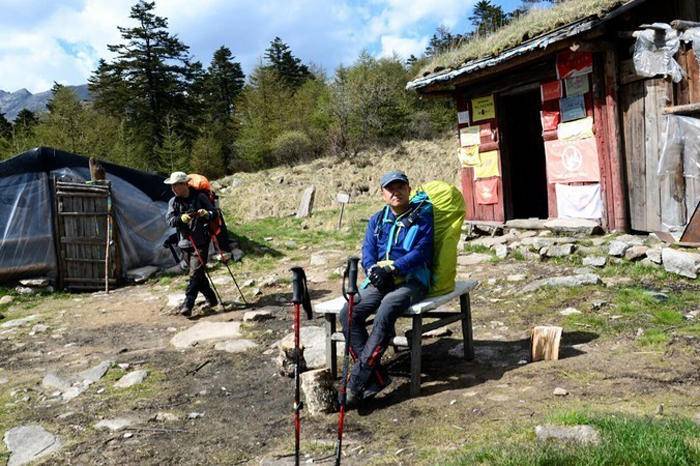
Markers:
300,296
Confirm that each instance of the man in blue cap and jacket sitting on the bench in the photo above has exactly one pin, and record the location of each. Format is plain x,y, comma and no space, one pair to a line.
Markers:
397,255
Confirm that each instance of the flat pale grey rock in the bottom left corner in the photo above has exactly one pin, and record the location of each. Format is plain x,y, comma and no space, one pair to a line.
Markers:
29,443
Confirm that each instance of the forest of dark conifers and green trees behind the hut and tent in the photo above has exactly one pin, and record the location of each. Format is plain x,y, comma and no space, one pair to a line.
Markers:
155,108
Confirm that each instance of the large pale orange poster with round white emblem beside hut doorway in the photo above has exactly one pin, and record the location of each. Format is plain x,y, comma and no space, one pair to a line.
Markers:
572,161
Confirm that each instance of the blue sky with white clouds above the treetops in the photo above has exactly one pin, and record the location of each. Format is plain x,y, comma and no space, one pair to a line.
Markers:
42,41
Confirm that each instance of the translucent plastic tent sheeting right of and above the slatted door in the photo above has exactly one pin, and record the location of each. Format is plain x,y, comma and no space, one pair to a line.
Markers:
141,221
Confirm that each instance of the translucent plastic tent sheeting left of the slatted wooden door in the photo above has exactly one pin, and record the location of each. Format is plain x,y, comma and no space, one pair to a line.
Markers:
26,231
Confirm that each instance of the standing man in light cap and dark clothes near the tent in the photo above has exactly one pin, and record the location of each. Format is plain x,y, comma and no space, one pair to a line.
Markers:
190,212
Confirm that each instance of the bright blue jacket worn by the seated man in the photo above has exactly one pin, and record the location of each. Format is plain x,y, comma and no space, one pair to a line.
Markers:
411,246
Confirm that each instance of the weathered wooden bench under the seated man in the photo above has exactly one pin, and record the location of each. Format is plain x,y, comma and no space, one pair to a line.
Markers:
426,309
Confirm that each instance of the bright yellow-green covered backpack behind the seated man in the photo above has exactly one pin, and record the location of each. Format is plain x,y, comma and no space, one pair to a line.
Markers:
448,217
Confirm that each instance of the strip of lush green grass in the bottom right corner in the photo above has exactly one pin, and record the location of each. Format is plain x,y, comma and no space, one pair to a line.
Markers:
625,440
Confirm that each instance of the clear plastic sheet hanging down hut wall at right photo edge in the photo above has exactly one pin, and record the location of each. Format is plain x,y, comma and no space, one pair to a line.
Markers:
679,170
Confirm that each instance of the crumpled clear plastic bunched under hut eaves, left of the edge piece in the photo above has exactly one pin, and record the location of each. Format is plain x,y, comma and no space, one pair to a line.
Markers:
654,50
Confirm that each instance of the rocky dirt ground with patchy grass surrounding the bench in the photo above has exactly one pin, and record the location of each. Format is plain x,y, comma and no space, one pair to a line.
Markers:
117,379
